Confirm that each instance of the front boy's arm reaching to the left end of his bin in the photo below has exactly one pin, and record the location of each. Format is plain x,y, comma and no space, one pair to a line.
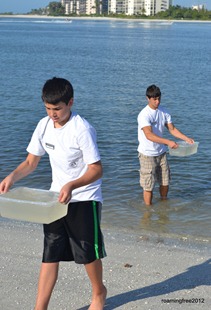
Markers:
25,168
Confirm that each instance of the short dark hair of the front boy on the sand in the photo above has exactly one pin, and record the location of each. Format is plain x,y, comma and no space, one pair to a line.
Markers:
57,90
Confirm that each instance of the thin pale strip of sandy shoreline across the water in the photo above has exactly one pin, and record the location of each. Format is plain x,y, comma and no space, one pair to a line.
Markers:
103,18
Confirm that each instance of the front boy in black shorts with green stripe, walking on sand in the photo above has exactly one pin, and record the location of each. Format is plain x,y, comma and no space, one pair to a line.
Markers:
70,142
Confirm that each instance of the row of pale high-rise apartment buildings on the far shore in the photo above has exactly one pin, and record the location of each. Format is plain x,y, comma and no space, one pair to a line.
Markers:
128,7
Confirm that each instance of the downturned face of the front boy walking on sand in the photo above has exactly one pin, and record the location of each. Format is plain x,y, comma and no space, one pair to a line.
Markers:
59,113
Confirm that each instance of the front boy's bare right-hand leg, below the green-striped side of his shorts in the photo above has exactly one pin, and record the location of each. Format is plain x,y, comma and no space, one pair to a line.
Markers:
95,273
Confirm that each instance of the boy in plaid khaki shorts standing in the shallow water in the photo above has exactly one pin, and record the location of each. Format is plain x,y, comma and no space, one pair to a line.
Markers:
152,147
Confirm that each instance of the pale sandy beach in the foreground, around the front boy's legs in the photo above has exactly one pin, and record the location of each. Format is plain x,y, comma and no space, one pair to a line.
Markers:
139,273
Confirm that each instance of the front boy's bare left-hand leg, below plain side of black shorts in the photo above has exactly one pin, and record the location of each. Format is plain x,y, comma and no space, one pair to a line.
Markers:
47,280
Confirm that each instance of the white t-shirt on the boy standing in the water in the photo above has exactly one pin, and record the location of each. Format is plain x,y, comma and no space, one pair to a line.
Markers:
157,120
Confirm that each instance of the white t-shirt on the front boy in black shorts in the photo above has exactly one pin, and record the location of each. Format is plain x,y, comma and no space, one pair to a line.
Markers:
70,148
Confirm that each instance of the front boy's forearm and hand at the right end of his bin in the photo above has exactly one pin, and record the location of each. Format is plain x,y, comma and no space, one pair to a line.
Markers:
93,173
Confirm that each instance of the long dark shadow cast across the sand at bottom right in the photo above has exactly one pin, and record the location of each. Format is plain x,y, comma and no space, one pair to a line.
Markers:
194,276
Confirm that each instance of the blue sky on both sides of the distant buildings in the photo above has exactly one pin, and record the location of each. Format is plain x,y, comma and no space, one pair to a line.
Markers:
25,6
